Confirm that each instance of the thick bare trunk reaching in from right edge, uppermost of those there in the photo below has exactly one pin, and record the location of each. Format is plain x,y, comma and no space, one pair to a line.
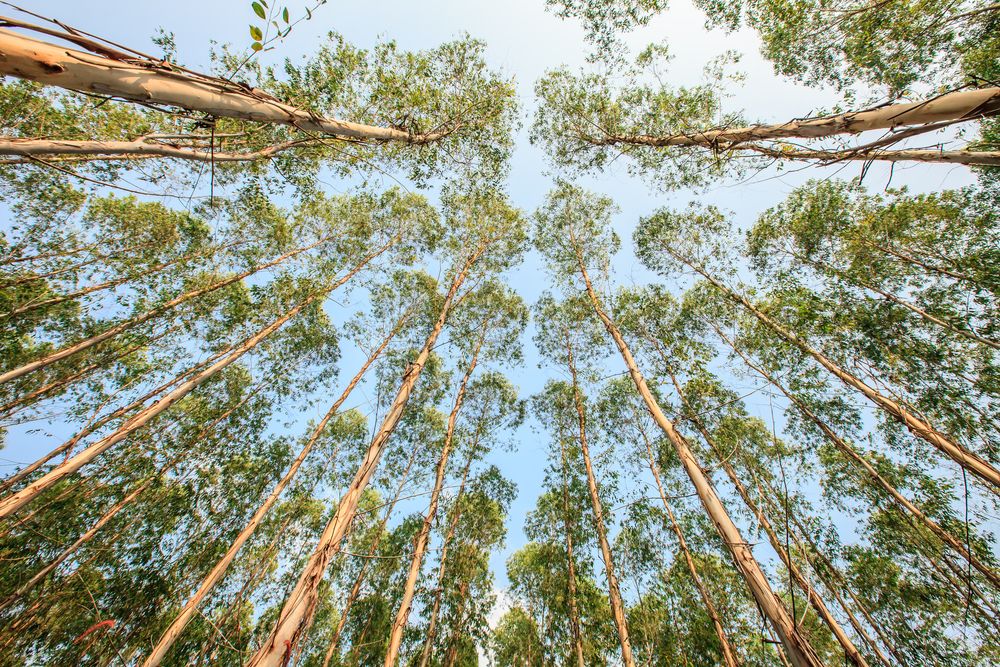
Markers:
951,107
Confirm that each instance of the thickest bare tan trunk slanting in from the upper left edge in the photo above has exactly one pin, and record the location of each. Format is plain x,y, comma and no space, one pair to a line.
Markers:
152,82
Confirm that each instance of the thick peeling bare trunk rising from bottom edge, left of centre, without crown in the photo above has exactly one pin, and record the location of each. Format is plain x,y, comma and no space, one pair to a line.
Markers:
297,612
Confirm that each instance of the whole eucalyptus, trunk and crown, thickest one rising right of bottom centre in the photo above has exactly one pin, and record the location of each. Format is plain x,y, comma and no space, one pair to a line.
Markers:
574,235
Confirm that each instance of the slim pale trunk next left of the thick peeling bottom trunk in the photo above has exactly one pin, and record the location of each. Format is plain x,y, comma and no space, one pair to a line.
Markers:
176,627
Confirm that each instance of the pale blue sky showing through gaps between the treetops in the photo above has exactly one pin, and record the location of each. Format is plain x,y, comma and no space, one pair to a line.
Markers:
523,41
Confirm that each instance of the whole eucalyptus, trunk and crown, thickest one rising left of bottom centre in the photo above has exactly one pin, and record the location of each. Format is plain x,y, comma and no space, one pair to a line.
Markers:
484,236
